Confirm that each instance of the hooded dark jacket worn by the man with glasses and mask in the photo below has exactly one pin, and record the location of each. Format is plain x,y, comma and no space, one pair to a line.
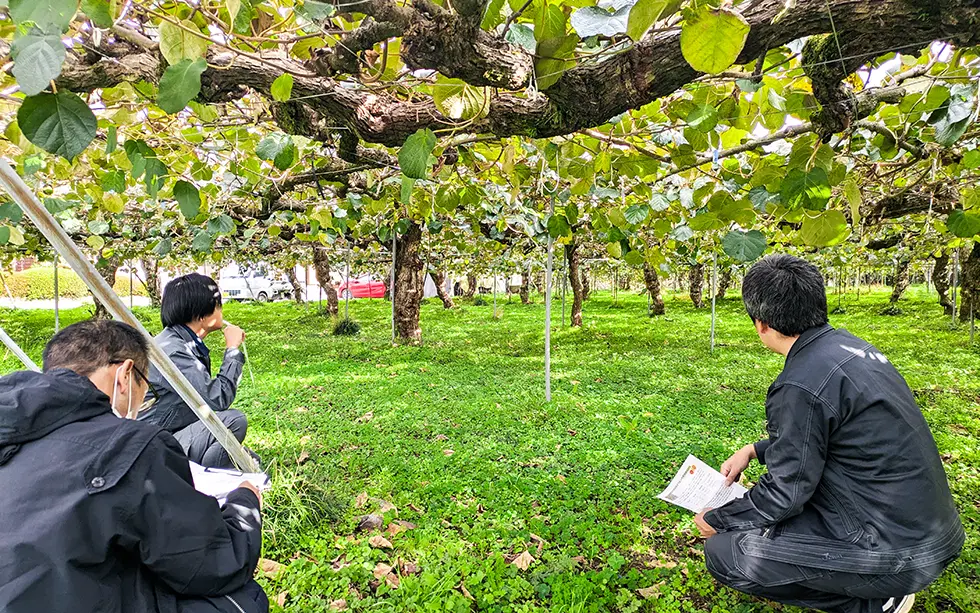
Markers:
100,513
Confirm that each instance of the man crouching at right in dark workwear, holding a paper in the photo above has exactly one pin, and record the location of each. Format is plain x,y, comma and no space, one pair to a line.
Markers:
855,513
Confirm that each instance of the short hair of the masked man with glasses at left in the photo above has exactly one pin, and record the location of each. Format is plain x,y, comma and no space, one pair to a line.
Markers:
89,345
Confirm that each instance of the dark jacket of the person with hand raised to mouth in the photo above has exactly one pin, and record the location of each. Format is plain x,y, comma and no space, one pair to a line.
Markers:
184,347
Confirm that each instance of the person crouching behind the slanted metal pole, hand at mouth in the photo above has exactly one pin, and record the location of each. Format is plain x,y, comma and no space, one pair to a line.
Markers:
190,311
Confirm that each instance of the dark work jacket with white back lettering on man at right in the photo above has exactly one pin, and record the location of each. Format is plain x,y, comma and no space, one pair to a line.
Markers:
855,481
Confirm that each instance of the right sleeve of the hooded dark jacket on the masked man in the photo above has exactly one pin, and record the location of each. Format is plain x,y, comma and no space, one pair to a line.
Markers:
182,536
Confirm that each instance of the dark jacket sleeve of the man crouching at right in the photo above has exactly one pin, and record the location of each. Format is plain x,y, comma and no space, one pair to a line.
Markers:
799,427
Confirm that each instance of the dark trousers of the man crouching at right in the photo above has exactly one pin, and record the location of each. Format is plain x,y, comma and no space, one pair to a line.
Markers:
812,588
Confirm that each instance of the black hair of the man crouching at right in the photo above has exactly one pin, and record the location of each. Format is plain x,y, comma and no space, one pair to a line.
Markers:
786,293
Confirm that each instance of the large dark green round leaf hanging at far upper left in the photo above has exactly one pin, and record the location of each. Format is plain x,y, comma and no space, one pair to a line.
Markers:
58,123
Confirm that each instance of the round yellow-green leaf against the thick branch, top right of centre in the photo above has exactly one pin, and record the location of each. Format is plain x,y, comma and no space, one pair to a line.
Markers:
713,40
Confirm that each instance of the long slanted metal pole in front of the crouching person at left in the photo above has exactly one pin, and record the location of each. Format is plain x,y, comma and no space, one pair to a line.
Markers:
63,245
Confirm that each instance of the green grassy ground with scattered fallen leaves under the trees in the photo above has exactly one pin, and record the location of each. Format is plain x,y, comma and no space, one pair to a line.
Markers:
456,439
